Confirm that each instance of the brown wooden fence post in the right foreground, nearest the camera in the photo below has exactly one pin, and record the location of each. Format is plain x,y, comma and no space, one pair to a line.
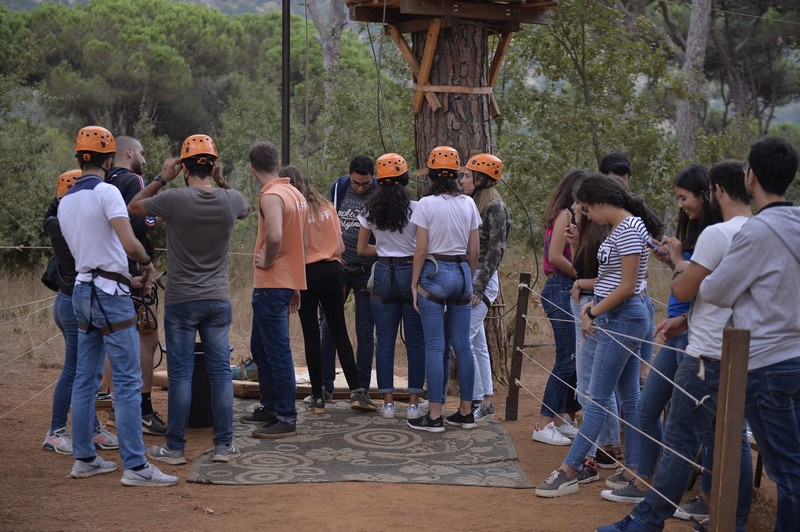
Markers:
728,430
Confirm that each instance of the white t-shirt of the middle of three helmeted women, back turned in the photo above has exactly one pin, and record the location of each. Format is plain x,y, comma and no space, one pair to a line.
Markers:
449,220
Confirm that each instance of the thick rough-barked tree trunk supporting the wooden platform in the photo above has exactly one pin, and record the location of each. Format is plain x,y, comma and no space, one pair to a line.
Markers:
461,60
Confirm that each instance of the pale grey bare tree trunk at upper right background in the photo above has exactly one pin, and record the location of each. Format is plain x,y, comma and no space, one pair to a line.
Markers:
688,109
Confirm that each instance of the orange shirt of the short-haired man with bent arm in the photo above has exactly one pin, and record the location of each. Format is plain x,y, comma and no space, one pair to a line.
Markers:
288,270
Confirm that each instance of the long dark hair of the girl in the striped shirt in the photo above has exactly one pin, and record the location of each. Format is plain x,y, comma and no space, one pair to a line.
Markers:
599,188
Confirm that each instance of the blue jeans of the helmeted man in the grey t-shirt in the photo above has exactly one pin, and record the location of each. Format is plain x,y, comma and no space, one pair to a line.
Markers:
182,322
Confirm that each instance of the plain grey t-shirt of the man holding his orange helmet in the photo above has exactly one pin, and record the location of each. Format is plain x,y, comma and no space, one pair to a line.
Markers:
199,227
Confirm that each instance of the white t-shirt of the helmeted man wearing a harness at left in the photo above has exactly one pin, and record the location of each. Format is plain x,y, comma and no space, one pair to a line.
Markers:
84,217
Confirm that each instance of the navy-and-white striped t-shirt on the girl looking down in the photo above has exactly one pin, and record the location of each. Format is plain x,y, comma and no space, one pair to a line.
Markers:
628,238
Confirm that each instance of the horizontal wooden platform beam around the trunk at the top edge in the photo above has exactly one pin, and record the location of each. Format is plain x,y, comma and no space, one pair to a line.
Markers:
440,8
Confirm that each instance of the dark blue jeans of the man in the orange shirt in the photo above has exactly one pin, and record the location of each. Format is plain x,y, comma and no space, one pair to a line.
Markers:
272,351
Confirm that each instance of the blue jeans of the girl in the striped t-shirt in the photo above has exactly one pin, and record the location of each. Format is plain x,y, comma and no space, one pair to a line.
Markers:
614,366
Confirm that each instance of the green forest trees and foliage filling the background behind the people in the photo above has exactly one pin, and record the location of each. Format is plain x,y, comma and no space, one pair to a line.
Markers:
603,75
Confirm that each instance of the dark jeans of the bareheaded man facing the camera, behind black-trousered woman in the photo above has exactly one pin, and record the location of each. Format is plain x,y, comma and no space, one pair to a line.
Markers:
365,334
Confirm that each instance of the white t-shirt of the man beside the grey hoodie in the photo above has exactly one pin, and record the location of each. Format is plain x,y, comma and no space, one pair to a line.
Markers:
706,321
